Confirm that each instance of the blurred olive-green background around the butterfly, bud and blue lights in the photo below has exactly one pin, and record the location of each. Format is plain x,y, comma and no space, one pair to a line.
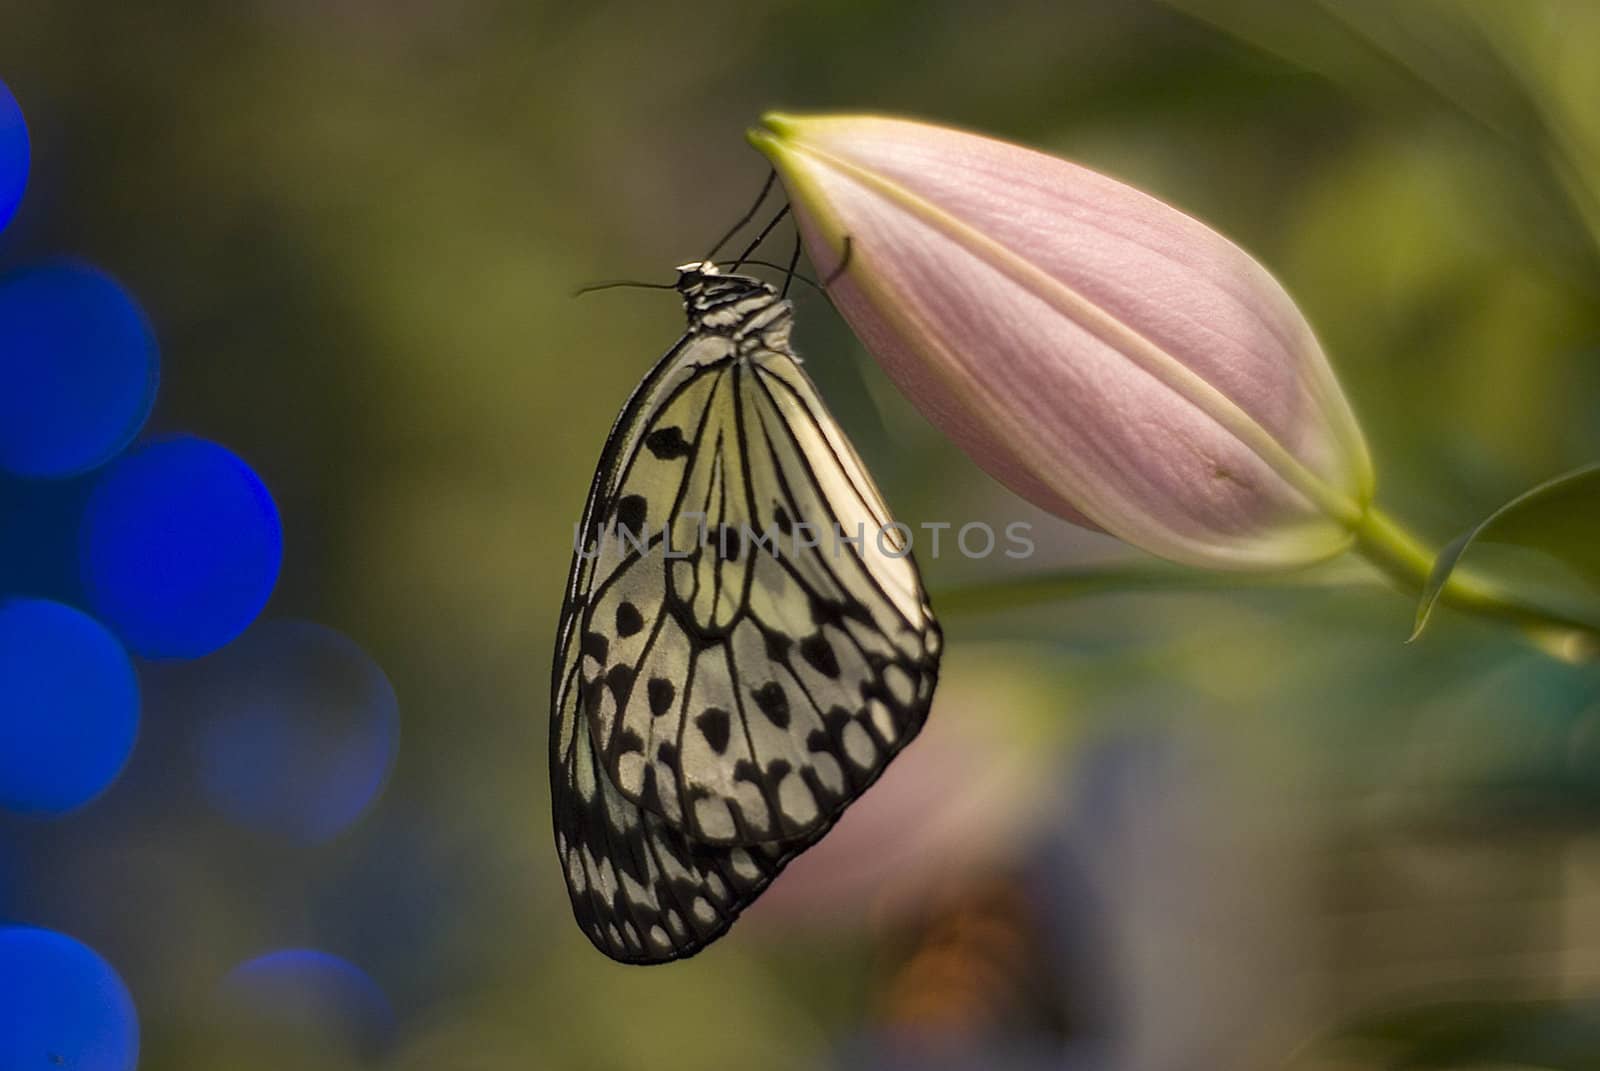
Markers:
1194,830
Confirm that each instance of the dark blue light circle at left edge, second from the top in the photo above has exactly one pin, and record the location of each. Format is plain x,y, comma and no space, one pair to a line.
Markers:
78,369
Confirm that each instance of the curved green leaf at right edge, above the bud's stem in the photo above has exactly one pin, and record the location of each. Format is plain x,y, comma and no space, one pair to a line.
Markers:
1559,518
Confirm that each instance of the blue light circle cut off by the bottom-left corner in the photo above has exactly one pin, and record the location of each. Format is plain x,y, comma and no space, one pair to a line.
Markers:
62,1006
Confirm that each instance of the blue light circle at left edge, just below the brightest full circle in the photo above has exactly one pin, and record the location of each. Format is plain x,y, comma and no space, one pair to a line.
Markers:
70,707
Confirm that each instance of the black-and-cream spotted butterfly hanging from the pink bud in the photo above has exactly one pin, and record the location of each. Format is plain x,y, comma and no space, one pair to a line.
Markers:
745,641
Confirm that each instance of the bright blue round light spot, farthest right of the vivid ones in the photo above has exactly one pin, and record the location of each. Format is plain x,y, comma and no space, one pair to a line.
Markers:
182,548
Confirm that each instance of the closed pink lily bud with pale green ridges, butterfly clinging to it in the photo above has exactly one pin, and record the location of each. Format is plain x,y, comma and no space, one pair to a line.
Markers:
1100,353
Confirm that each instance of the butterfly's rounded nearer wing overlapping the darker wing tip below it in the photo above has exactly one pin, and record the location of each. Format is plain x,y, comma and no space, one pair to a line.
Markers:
751,689
